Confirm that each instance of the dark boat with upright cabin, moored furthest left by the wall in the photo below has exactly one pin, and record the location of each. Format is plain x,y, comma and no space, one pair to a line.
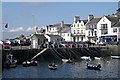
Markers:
11,62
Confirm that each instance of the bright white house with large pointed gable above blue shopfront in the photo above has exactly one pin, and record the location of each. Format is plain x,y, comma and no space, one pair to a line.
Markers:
108,29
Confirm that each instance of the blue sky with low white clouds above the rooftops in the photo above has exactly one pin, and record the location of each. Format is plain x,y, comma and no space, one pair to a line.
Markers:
19,15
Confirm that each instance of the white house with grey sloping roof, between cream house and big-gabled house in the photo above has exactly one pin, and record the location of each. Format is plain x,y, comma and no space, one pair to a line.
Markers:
91,28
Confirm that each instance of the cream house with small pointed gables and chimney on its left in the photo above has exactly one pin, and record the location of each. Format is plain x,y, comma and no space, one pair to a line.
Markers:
78,29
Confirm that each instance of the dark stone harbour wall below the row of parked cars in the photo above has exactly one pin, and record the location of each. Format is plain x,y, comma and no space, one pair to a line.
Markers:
59,53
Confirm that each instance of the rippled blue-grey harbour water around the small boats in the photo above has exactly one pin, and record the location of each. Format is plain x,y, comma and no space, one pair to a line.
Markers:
66,70
